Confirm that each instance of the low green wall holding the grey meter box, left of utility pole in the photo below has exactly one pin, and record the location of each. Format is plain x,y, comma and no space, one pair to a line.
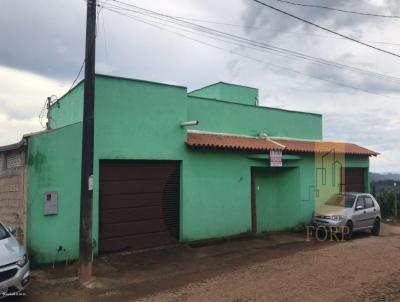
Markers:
54,165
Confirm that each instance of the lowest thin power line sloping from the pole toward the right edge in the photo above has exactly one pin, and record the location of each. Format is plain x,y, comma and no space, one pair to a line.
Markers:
151,23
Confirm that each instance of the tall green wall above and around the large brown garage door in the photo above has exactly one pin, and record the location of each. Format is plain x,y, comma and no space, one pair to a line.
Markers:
137,120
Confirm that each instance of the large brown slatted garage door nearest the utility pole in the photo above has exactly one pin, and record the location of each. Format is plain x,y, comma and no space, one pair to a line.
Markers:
139,204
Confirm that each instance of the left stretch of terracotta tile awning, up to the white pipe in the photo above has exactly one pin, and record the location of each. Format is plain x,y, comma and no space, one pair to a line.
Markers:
221,141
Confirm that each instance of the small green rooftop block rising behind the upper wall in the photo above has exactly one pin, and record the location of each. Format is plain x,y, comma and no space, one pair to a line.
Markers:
229,93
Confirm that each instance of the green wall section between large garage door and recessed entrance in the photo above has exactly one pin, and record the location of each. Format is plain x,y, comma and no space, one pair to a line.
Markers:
216,195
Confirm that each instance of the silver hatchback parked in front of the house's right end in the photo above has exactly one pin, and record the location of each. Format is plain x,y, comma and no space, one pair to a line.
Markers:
349,212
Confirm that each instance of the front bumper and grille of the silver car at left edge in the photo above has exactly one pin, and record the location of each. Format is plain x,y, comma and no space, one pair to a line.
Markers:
15,283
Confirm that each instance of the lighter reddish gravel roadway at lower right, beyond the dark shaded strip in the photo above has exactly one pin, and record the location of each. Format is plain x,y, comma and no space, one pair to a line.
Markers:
367,268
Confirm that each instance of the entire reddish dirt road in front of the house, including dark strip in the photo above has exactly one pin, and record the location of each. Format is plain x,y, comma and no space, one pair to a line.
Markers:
273,268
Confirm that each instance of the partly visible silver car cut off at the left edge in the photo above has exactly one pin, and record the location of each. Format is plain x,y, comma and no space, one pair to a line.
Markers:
14,264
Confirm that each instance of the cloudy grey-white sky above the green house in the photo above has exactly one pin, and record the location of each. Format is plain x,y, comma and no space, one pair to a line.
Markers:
42,49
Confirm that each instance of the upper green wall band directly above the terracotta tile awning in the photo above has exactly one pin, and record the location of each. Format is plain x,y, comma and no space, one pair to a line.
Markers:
219,116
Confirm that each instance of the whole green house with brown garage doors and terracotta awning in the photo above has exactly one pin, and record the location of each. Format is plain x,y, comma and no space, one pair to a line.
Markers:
176,166
